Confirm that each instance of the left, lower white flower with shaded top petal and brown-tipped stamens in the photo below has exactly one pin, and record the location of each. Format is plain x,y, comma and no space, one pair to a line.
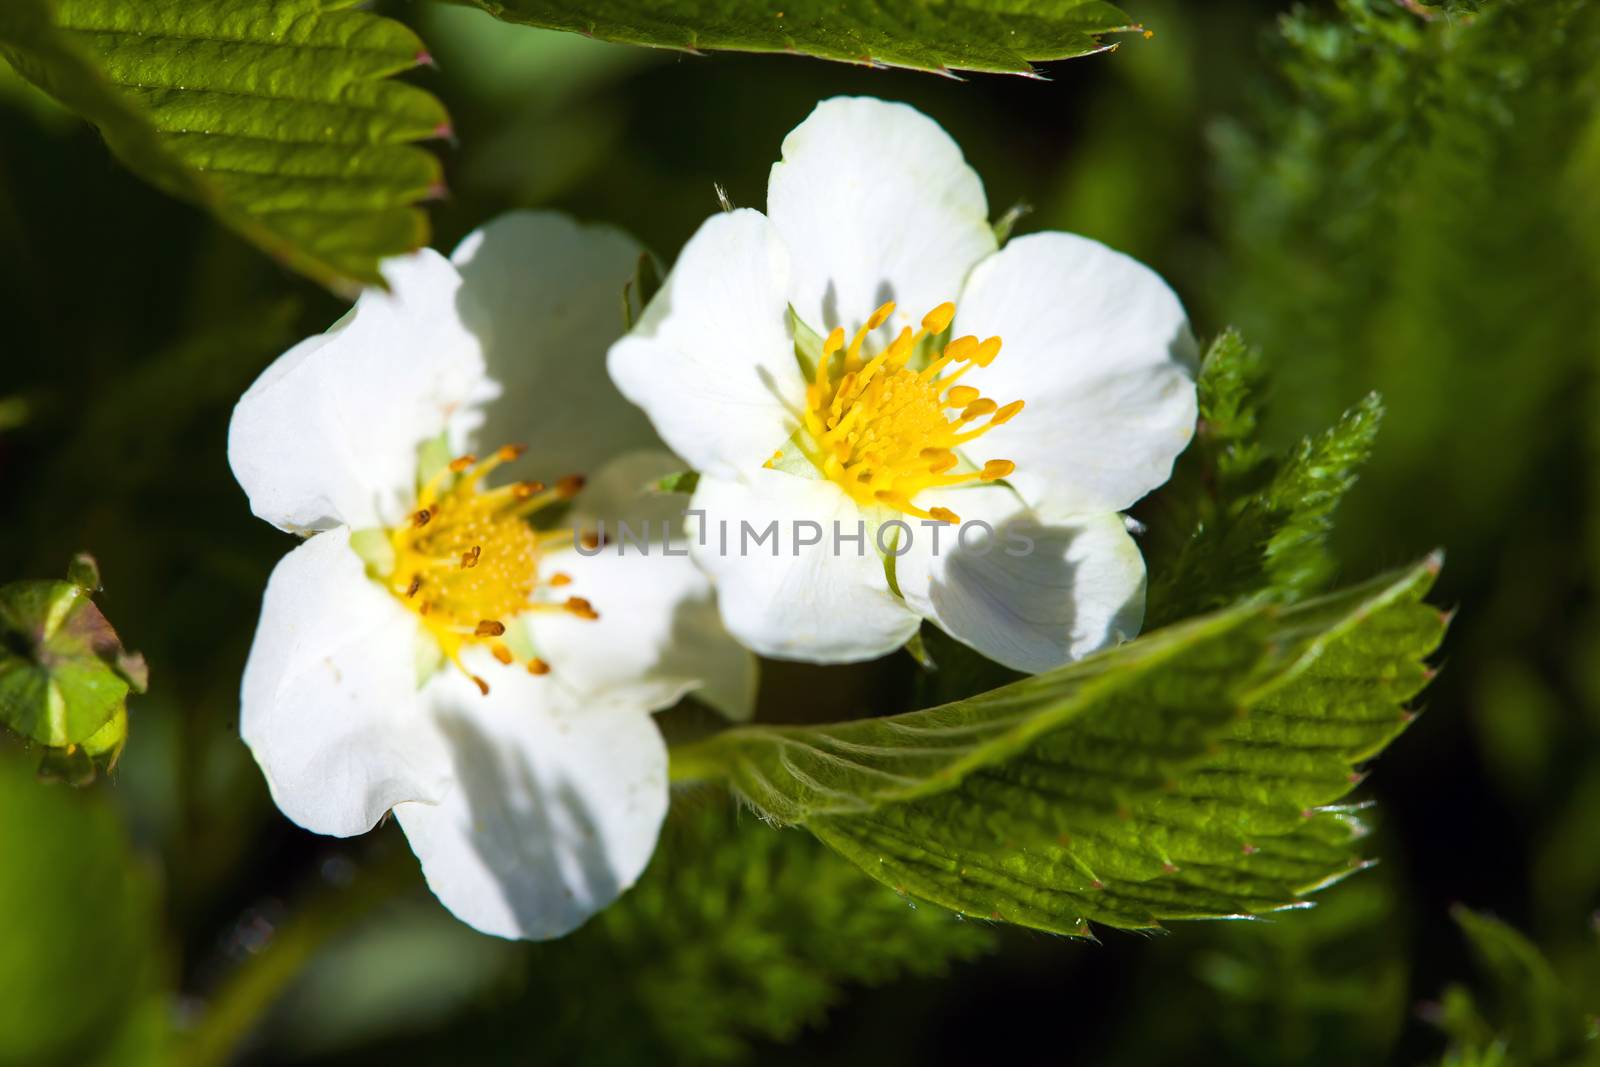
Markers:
428,650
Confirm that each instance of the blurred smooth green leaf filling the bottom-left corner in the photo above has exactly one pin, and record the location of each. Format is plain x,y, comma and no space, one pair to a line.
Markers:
81,962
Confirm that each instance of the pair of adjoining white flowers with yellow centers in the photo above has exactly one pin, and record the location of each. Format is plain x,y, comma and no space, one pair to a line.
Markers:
449,644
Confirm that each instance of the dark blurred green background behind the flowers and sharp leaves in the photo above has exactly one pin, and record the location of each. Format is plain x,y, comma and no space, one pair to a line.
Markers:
1382,196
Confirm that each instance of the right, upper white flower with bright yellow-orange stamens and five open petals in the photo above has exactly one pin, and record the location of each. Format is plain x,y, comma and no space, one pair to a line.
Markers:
1076,396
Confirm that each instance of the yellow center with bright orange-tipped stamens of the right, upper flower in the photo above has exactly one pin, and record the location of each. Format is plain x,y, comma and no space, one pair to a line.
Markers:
886,433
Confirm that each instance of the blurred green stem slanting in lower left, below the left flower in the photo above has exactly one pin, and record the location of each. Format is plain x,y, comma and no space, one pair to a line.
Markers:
242,1001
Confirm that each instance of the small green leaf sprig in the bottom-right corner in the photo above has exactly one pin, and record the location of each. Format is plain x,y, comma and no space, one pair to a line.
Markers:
1534,1018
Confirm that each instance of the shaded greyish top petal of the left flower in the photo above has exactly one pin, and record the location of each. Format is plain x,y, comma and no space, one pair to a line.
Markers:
543,295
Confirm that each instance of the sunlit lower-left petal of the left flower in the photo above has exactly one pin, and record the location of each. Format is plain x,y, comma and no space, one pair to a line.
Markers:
329,703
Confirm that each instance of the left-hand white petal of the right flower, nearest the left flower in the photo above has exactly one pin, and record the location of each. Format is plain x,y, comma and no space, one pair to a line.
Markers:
711,361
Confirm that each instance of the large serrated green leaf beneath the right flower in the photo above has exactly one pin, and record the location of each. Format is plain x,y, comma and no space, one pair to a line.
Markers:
1191,773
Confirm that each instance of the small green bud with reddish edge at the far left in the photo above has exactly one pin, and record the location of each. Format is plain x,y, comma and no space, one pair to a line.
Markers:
65,676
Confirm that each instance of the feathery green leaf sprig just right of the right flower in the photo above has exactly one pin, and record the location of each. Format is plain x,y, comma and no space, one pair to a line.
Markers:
1255,521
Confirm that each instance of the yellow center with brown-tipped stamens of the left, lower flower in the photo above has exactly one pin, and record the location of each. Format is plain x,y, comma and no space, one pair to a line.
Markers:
470,561
